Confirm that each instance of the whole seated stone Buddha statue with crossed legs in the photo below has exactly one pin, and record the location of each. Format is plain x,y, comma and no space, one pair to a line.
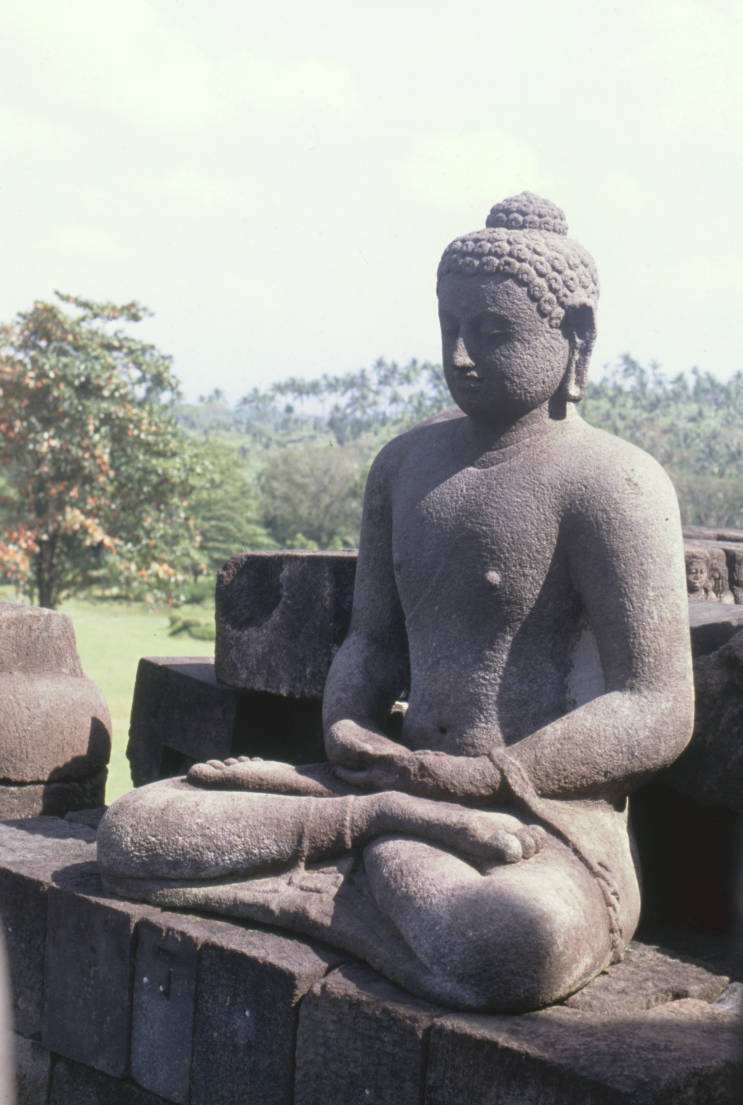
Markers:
522,574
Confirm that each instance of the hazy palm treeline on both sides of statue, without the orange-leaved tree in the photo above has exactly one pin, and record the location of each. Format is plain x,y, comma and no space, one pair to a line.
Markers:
292,459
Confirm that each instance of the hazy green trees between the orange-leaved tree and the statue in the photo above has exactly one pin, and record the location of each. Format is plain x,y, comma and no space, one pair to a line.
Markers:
310,444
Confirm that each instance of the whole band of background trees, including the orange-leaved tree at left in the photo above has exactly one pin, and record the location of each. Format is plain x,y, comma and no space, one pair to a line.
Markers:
110,485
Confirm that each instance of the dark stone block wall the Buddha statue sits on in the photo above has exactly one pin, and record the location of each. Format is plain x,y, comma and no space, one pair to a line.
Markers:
128,1005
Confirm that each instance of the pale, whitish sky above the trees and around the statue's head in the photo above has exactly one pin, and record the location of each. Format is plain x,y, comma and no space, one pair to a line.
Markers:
277,182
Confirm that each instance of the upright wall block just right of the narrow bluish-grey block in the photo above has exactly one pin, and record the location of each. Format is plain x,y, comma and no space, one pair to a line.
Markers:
248,991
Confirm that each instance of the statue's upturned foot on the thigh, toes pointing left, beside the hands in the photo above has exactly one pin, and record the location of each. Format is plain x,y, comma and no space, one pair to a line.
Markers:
274,777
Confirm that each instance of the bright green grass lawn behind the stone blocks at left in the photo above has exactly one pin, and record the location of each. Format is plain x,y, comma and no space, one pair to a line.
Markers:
111,639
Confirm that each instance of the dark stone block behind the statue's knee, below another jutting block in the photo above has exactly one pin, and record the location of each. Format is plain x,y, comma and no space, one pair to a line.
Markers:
182,715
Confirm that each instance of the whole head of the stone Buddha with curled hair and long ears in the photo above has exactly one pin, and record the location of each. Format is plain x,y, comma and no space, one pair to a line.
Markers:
518,310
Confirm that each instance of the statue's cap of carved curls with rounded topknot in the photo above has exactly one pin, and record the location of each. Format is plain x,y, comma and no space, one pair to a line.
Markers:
526,239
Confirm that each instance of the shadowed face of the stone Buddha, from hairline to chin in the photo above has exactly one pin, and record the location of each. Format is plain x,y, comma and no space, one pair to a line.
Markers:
501,360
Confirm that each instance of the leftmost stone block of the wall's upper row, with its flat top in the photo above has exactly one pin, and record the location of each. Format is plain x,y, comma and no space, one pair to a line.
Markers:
30,855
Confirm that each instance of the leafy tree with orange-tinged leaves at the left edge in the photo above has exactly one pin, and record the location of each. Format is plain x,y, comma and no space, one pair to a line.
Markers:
98,476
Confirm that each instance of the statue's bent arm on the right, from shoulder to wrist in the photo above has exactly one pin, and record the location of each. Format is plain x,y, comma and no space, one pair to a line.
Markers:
626,557
